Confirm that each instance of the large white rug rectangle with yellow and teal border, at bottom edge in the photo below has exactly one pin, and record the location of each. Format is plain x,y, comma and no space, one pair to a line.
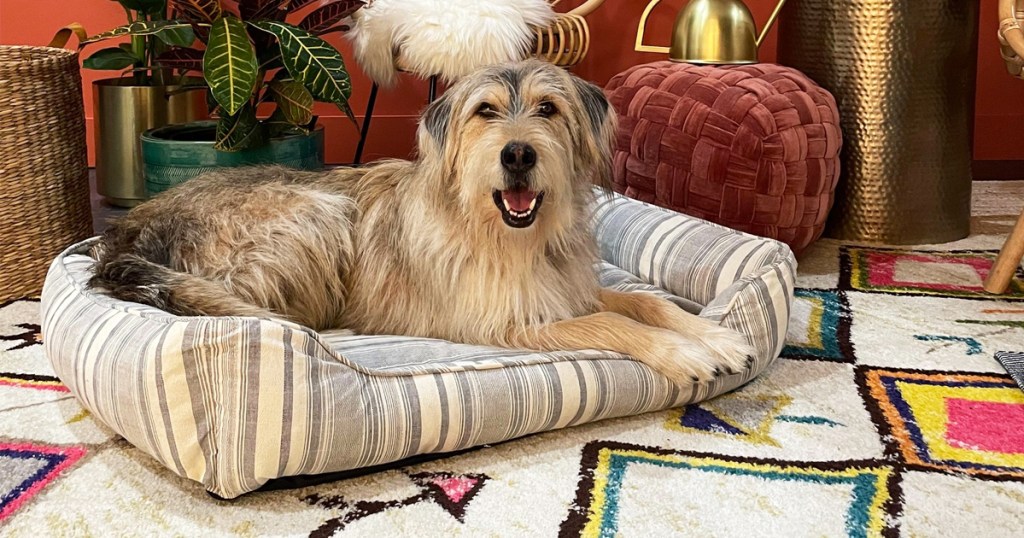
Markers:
864,492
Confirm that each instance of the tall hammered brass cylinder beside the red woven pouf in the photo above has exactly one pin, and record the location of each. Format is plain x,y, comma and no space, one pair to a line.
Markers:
904,76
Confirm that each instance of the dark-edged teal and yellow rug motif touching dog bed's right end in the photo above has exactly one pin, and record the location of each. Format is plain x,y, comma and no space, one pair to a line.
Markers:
820,327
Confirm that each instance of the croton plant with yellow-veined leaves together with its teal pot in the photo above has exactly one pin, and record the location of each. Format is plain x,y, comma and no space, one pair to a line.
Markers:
264,74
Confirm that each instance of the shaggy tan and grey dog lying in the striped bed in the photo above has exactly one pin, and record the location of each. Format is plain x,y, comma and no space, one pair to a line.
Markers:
485,238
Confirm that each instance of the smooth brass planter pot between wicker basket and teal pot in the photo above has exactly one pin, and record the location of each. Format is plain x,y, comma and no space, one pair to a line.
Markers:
123,111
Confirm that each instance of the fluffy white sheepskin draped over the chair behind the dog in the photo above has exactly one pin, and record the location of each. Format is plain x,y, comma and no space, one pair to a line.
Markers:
449,38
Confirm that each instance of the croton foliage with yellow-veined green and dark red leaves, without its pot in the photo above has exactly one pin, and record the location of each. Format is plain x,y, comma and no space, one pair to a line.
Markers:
254,55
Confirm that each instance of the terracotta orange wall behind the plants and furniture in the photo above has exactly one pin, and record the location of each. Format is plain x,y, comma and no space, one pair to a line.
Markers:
1000,105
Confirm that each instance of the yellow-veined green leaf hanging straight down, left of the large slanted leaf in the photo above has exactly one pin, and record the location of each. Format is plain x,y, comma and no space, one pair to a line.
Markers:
230,65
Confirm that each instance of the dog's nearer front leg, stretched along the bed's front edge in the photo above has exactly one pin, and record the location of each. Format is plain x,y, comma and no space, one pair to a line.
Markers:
680,359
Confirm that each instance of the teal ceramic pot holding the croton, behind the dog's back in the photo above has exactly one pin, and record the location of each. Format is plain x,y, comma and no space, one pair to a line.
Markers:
176,154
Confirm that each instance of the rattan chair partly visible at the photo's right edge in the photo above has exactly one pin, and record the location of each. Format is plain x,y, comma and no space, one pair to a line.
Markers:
1012,49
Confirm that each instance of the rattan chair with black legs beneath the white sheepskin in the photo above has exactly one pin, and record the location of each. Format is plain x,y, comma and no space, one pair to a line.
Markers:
565,44
